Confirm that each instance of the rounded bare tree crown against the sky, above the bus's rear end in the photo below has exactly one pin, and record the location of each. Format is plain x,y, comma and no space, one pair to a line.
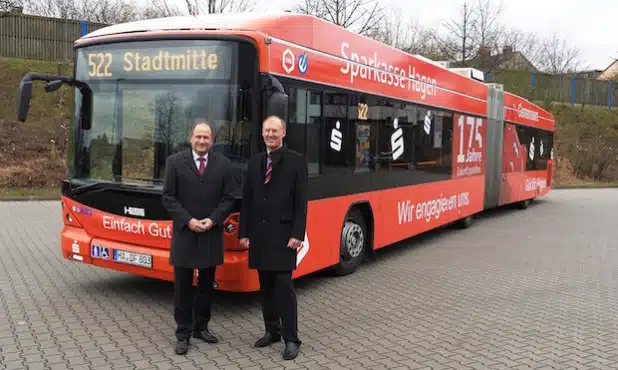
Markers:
558,57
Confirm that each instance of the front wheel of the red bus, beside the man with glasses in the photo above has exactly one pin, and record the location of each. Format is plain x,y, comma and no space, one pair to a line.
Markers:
353,243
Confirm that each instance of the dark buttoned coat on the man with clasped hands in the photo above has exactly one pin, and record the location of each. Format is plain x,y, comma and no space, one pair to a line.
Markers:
188,195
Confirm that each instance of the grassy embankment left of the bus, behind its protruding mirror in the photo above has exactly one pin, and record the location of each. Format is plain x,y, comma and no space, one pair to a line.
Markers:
32,157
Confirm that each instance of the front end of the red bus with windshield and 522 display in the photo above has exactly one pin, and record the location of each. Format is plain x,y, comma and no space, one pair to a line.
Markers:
135,107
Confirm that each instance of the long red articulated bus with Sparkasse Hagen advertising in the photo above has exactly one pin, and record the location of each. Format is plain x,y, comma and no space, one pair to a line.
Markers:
396,144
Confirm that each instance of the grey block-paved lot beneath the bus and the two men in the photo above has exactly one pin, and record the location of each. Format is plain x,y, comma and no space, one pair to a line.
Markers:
520,289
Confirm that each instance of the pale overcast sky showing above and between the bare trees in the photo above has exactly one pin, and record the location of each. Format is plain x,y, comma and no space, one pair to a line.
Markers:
587,24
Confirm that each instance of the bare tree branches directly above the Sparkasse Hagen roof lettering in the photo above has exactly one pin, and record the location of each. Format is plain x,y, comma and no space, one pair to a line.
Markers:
361,16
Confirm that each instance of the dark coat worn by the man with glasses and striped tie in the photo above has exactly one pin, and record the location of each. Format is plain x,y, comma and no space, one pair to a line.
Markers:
273,213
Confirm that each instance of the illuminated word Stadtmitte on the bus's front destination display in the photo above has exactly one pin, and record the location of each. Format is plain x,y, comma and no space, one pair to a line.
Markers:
165,61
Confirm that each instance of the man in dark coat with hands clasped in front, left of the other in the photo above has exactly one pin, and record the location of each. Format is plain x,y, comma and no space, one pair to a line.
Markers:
198,194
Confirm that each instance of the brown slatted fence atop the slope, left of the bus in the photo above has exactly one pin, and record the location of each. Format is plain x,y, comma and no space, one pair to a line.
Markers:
33,37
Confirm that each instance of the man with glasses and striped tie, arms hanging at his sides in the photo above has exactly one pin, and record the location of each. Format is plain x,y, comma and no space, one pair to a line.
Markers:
272,226
